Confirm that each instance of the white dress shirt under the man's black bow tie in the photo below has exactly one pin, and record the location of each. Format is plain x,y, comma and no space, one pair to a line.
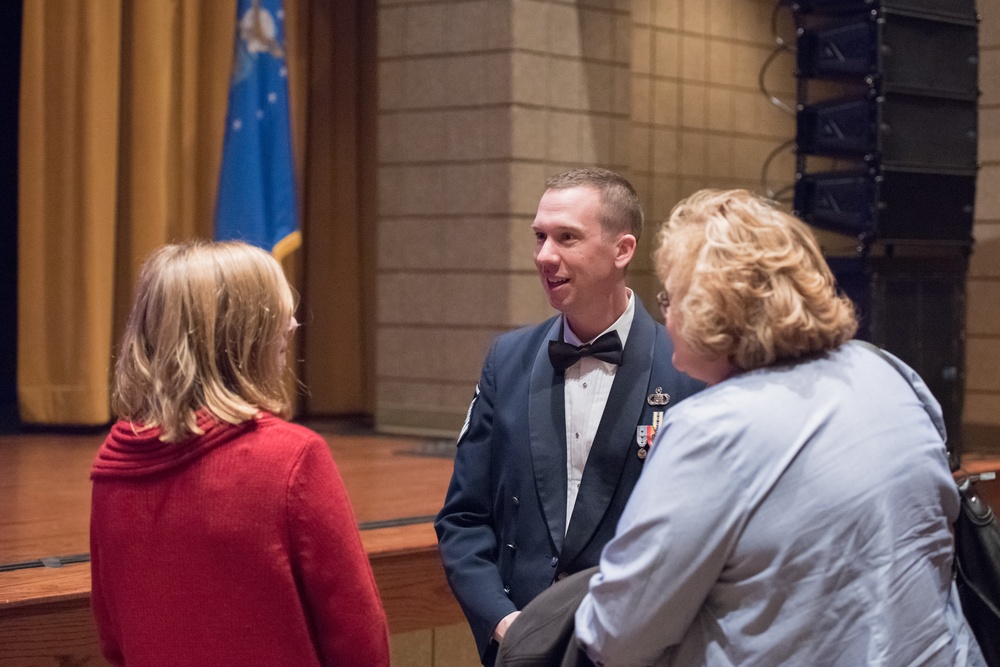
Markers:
587,387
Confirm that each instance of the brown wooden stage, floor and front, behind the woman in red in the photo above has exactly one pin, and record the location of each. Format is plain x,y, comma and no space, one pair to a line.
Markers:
396,486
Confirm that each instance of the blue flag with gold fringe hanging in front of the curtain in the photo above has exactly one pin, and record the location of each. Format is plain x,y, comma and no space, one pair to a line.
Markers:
256,200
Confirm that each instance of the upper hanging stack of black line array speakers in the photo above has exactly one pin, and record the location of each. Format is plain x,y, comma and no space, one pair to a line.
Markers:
910,113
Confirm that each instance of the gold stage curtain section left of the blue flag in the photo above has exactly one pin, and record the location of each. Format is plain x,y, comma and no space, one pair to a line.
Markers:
123,104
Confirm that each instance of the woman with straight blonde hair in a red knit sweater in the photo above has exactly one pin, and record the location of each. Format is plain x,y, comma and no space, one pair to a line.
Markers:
220,533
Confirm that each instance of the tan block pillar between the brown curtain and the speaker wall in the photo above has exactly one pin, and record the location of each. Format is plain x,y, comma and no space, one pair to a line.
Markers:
480,100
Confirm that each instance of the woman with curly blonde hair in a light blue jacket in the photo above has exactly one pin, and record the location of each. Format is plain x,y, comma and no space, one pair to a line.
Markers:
796,512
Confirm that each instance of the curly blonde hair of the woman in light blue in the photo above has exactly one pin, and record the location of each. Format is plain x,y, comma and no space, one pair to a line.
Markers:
750,280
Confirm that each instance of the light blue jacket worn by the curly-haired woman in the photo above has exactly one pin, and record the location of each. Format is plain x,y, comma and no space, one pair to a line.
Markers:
794,515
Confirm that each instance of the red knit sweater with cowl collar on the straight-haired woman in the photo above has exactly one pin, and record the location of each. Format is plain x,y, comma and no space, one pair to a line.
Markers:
237,547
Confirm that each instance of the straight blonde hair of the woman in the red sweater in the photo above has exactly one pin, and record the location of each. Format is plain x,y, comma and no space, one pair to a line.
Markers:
205,332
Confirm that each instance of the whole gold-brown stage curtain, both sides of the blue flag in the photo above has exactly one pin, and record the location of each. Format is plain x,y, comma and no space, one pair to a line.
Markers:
123,105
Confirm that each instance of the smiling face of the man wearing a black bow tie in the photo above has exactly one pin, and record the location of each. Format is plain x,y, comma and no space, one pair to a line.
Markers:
581,268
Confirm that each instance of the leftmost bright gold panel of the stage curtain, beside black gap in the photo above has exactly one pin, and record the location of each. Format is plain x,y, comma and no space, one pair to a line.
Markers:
67,208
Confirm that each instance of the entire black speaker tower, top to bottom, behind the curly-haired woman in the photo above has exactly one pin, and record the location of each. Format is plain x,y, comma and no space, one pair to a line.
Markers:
888,109
